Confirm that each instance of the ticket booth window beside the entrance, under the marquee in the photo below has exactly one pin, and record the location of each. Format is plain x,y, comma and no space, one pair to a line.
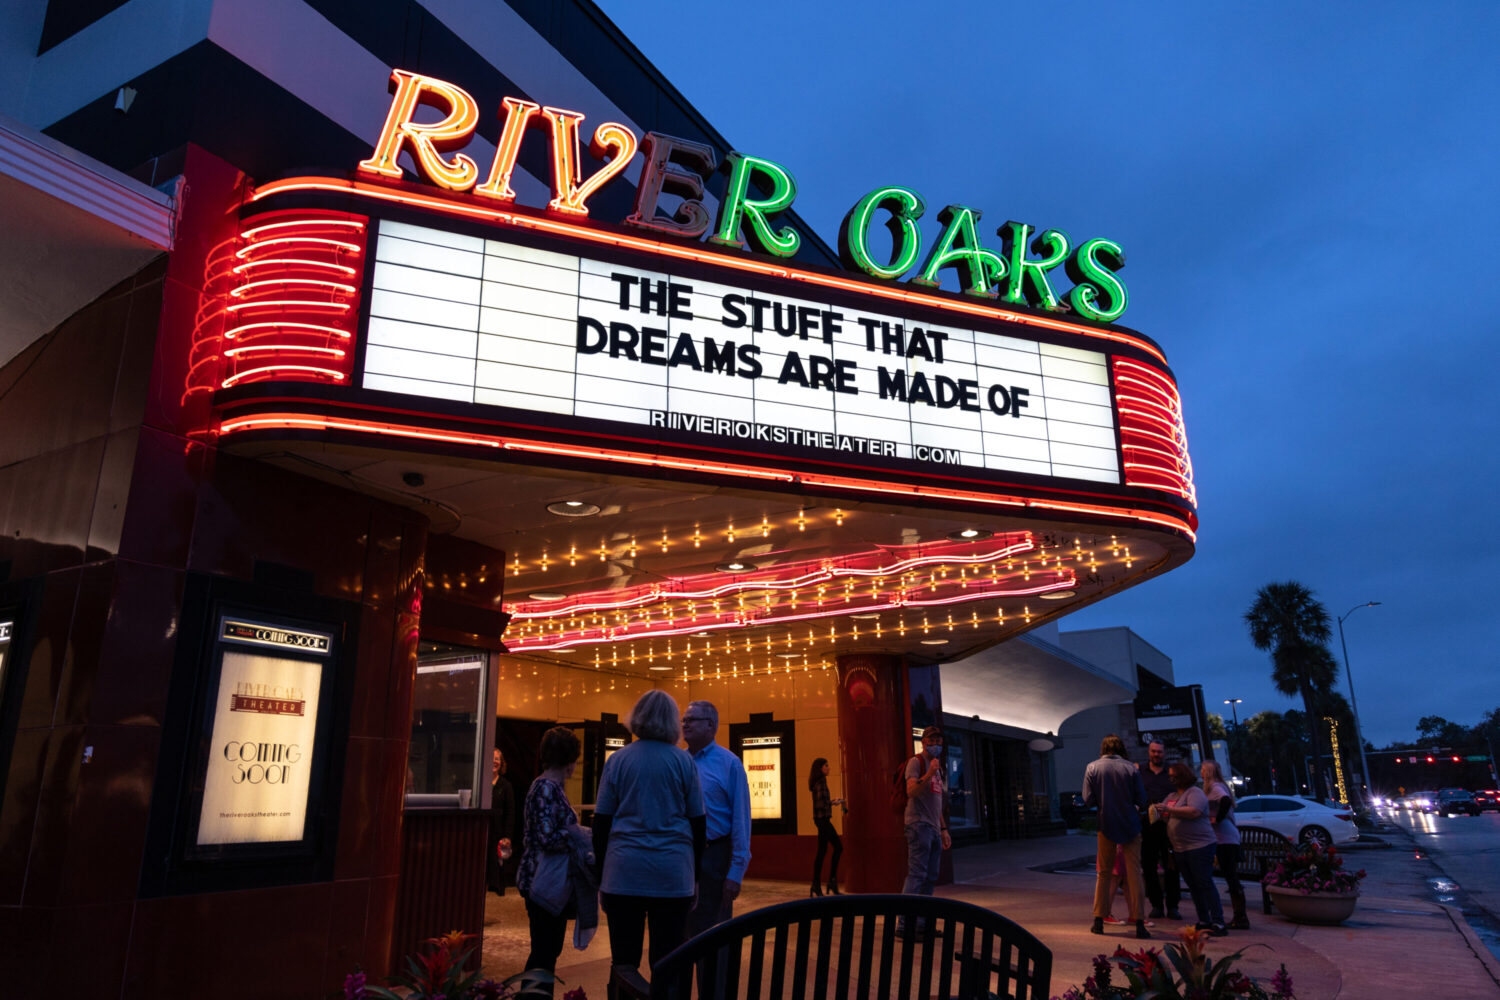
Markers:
448,762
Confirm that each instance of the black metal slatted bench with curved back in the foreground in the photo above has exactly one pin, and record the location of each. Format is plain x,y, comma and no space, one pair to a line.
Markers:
839,948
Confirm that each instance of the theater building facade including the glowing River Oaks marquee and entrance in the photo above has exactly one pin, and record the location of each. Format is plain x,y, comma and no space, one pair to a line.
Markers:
385,385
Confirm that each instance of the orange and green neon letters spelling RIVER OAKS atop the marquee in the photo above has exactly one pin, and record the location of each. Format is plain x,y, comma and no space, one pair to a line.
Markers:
1019,274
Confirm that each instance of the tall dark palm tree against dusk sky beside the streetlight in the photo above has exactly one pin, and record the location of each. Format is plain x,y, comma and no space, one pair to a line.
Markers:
1294,626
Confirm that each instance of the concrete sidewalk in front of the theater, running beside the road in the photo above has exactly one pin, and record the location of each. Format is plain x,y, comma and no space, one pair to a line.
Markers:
1399,944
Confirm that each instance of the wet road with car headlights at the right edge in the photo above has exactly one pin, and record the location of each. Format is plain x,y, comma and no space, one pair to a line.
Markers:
1468,851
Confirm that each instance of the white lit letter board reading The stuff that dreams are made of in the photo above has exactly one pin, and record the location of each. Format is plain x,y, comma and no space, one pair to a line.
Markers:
488,322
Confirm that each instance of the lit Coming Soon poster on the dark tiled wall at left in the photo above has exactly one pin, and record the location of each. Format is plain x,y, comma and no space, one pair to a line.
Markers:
265,729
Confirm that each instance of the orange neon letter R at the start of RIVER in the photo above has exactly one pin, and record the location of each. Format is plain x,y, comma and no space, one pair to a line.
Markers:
428,142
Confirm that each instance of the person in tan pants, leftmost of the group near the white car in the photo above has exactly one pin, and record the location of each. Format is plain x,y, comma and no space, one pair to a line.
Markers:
1112,785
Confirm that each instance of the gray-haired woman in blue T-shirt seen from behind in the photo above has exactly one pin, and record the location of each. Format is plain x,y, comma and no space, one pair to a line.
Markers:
649,834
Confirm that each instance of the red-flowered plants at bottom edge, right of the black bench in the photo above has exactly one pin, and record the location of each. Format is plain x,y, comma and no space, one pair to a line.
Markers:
1184,972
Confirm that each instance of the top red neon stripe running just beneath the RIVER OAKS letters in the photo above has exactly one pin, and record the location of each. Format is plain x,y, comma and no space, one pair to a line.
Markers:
698,256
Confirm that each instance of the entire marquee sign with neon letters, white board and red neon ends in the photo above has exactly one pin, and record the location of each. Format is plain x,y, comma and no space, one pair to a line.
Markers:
737,365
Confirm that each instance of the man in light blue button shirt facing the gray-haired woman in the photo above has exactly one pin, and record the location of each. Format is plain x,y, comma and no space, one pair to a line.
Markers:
727,807
